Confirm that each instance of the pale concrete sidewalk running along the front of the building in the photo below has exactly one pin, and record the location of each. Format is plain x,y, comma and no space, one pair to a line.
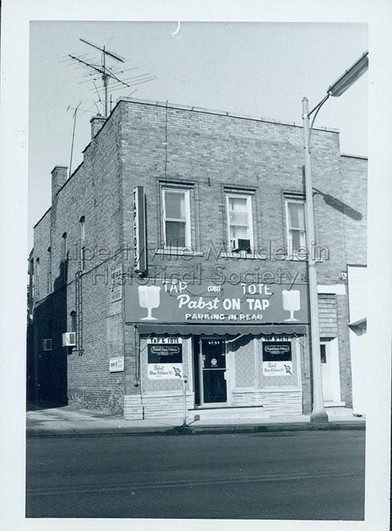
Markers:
68,421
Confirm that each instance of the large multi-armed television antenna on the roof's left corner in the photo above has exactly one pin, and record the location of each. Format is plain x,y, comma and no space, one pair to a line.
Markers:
108,73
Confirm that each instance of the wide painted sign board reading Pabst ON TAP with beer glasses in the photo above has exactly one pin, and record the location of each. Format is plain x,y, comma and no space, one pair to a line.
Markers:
172,301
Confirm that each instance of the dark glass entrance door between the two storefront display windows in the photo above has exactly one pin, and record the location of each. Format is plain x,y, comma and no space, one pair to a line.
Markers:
213,369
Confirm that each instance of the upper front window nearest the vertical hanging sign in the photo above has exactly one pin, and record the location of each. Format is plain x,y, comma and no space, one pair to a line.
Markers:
176,217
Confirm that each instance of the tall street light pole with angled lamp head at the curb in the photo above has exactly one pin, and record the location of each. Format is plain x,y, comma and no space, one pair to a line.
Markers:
345,81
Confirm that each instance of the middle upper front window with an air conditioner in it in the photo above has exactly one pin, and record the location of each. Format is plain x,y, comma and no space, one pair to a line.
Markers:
239,222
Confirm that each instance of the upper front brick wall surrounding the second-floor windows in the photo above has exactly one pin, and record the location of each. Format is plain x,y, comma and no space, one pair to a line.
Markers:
213,153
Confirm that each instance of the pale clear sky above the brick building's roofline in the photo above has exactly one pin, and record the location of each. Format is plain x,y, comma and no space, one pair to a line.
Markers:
257,69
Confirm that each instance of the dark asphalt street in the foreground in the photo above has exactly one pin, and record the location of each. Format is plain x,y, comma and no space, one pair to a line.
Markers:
285,475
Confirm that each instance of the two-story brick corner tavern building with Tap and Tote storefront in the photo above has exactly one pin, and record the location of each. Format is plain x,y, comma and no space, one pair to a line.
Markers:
172,263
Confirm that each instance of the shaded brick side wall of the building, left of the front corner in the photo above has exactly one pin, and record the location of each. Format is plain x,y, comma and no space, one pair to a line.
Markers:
93,191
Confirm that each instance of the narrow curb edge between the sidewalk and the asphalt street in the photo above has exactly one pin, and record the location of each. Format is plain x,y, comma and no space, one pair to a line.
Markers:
195,430
